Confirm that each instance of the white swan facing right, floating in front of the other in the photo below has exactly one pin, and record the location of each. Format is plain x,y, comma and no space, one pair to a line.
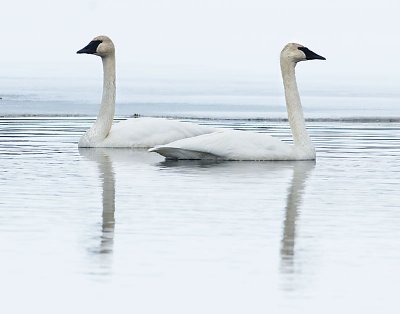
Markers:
242,145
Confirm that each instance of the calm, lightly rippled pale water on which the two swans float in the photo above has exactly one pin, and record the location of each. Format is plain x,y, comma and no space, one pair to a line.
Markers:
124,231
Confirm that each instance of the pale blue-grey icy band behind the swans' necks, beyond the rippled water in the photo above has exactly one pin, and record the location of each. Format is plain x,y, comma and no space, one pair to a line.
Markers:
213,98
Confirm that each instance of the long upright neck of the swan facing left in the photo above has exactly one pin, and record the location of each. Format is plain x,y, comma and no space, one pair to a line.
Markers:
104,120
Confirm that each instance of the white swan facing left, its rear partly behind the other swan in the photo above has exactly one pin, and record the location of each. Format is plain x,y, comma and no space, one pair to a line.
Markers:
135,132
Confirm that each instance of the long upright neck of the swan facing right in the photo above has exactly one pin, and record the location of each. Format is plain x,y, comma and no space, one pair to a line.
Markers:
293,105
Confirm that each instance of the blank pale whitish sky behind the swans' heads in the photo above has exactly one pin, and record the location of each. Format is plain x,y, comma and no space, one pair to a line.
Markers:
203,38
